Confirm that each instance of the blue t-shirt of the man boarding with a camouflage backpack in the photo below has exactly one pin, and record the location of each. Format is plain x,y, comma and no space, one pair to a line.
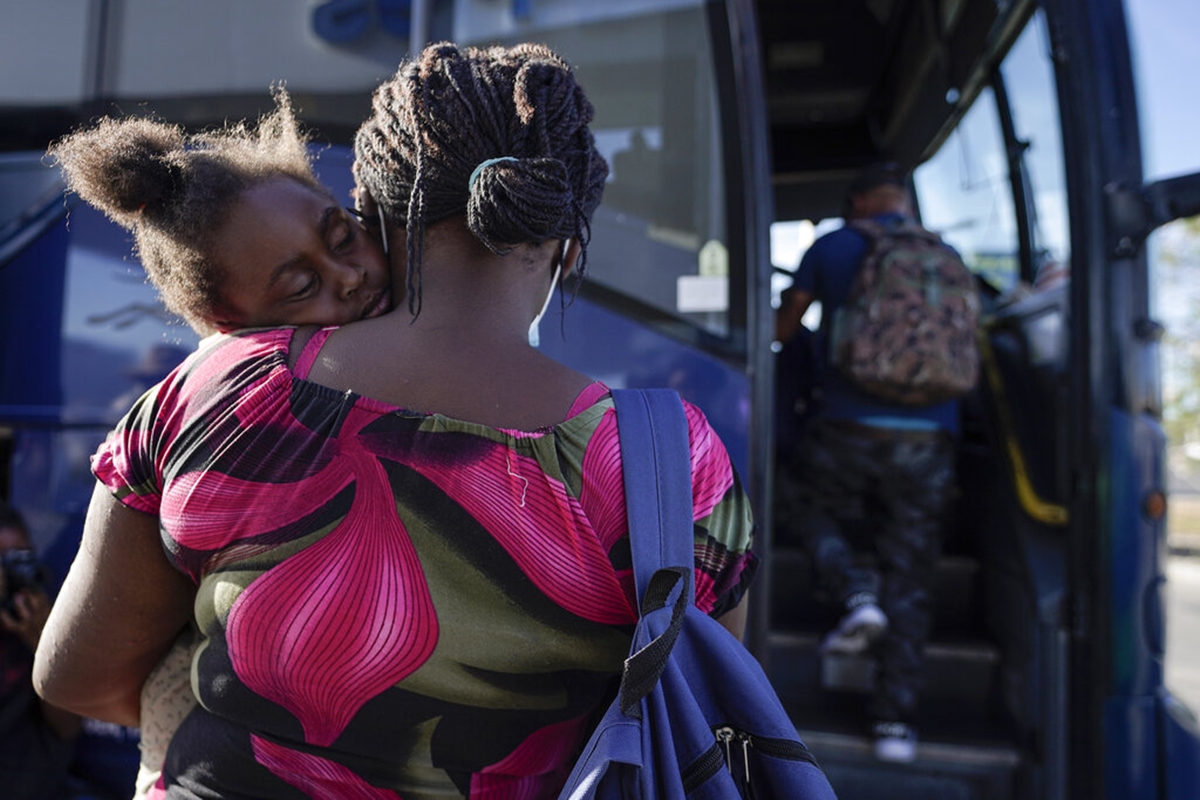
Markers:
827,273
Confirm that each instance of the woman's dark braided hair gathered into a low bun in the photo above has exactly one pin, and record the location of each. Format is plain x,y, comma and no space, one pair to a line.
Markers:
451,111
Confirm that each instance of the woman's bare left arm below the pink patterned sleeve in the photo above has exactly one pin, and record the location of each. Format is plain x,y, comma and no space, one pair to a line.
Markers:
118,613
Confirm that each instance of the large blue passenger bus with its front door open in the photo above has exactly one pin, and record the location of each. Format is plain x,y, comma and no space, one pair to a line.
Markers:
730,127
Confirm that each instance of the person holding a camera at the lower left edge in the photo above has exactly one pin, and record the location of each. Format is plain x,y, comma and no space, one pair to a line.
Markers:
37,739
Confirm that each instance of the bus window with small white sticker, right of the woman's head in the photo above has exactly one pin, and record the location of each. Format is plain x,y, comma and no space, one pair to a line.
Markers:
661,236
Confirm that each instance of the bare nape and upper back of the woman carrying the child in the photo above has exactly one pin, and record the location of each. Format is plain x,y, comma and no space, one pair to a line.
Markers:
466,353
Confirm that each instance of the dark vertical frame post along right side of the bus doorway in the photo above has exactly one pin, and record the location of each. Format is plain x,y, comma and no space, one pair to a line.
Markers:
1100,129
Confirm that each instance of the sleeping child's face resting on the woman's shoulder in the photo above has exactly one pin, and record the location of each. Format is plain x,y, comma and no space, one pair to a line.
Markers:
292,256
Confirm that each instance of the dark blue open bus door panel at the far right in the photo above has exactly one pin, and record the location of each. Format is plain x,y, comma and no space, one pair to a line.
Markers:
1121,715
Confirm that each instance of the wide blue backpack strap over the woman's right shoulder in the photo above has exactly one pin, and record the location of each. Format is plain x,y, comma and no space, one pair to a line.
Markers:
657,462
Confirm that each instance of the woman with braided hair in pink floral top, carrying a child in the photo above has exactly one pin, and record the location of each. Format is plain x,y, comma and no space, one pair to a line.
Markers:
405,539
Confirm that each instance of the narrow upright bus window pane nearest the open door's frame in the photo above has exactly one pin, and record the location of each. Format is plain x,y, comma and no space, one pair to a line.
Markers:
1029,80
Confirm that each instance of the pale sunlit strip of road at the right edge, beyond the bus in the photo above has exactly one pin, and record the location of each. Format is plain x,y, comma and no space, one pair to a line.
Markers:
1184,629
